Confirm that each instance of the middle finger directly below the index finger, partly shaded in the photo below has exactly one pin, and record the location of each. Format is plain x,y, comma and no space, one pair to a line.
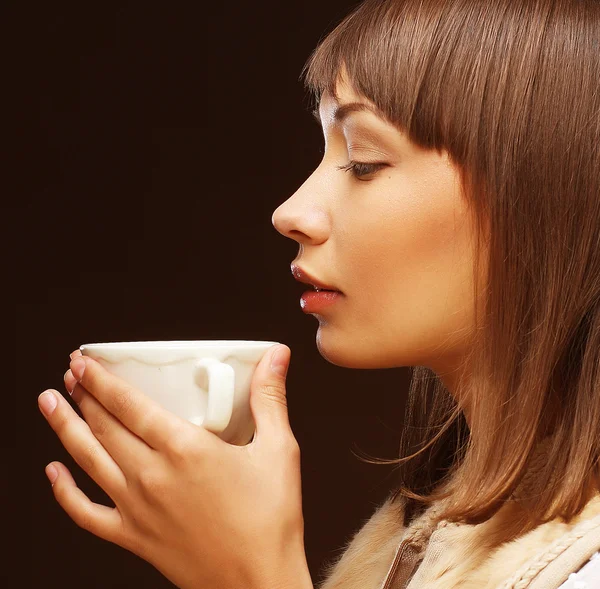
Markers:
126,449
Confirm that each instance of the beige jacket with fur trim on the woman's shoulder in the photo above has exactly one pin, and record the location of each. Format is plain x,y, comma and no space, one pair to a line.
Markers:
385,555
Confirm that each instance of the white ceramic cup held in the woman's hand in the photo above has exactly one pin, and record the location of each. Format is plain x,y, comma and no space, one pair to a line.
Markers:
206,382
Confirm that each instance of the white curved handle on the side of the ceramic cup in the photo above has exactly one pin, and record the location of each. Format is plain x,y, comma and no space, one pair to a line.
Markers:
221,381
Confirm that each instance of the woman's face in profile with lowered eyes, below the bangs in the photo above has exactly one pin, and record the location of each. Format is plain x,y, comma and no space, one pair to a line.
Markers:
397,242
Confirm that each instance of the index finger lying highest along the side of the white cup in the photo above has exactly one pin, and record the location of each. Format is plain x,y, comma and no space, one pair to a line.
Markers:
135,410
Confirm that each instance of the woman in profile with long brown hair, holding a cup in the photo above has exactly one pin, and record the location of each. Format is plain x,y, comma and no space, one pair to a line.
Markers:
456,212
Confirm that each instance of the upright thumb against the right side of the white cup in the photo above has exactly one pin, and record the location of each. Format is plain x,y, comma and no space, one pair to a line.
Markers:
268,397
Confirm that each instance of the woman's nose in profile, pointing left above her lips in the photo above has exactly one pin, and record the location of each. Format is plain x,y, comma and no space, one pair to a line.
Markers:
302,217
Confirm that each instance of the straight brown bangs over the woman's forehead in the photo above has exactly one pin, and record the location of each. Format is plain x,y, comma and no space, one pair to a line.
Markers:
408,60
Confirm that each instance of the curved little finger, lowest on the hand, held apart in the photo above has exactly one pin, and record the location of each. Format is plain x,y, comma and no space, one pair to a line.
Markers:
100,520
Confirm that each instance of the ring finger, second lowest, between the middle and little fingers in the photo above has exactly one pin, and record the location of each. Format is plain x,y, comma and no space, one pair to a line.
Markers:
80,442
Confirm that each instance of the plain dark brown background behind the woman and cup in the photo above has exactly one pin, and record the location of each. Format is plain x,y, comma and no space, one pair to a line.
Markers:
153,144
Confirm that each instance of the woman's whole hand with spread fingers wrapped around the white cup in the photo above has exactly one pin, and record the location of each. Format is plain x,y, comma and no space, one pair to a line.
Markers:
204,512
